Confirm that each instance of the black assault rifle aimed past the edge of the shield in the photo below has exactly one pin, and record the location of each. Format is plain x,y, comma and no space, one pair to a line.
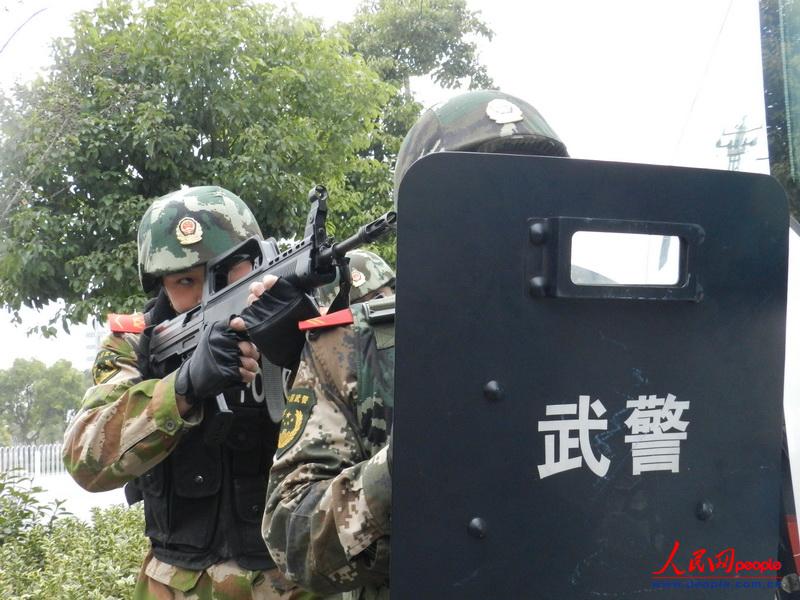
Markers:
310,263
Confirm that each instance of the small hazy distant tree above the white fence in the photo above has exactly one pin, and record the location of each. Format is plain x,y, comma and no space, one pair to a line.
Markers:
35,399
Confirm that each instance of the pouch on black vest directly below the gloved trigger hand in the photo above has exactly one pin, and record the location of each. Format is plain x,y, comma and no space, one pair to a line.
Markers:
196,473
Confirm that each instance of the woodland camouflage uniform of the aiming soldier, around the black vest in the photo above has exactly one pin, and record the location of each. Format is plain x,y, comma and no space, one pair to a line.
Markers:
126,426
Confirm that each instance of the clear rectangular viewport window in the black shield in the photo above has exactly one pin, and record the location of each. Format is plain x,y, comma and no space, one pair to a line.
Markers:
608,258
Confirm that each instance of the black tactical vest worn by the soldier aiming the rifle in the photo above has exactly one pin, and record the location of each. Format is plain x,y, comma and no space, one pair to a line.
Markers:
203,504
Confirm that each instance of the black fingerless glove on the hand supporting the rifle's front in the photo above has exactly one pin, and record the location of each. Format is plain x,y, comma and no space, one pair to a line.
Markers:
272,320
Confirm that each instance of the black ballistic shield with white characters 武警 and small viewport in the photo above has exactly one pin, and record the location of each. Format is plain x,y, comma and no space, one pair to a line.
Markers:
567,432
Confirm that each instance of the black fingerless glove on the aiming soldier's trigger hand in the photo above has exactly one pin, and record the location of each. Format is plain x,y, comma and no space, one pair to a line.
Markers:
213,366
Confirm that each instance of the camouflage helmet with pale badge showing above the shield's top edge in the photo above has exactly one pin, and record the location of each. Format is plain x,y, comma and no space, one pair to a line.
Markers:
478,121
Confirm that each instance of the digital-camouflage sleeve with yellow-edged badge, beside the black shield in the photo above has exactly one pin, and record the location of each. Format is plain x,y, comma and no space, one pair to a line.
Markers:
327,518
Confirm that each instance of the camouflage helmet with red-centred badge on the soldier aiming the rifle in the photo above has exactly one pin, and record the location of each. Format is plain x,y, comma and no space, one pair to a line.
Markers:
188,228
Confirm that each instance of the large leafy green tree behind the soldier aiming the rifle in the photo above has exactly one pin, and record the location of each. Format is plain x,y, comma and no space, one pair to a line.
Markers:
140,101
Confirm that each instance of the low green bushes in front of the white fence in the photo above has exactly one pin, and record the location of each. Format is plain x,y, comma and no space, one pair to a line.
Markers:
49,555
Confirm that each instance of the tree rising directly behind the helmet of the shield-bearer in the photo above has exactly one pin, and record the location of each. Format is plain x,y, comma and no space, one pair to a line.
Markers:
401,39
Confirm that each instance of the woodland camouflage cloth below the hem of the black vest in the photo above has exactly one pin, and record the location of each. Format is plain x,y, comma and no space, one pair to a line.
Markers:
223,581
